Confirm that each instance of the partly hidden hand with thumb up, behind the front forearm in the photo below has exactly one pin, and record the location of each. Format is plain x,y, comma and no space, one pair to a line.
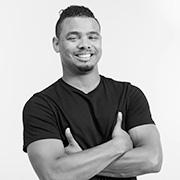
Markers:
73,146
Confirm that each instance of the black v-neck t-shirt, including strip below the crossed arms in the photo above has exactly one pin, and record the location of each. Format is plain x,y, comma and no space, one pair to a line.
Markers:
91,117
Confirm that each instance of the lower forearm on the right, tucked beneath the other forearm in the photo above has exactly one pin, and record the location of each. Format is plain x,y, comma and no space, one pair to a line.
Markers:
138,161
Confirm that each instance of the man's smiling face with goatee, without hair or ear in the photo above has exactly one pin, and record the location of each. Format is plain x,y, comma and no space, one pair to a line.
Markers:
80,44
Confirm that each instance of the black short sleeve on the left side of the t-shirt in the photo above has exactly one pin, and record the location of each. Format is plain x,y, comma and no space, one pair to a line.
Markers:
38,121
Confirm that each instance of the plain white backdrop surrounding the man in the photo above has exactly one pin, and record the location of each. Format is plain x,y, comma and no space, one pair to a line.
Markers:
141,44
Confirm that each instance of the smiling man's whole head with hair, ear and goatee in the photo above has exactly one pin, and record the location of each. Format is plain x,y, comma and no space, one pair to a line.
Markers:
78,40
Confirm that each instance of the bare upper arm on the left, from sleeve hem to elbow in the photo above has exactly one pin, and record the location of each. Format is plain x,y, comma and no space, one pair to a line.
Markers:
43,154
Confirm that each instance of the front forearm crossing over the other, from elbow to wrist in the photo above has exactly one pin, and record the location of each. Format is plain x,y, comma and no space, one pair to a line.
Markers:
87,163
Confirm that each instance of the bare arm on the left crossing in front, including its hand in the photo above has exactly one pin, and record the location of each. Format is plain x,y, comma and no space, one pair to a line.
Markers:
51,162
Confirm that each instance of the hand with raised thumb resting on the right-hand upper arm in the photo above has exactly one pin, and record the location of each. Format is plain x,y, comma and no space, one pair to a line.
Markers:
122,138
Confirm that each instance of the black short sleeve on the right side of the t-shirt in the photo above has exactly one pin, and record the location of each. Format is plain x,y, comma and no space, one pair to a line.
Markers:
138,111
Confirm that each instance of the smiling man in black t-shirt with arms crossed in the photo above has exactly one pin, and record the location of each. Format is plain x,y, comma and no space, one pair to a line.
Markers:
86,126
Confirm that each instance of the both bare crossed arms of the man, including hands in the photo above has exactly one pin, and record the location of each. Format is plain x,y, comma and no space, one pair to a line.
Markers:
125,155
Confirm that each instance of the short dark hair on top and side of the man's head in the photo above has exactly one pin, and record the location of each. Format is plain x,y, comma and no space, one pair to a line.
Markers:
73,11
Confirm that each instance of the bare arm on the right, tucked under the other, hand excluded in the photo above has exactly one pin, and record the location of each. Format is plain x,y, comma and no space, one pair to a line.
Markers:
145,157
